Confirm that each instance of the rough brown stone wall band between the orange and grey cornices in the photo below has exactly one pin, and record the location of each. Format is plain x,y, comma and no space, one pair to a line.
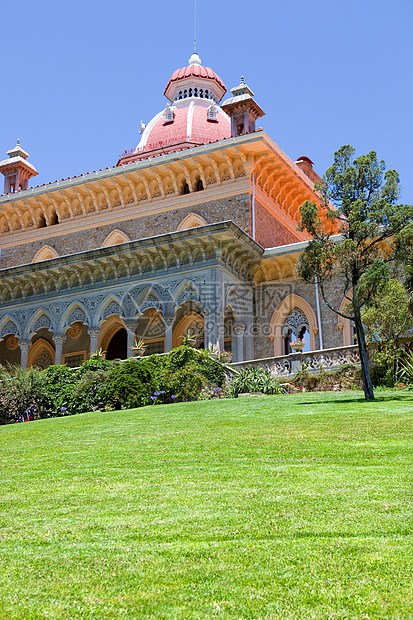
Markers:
235,208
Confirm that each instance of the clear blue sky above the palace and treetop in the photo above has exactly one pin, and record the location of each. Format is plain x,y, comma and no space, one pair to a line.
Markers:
78,76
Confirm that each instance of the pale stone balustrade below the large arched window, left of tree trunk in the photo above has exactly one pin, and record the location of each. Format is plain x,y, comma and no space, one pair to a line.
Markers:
314,361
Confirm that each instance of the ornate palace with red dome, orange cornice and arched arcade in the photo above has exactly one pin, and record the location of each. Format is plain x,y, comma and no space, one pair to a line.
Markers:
195,228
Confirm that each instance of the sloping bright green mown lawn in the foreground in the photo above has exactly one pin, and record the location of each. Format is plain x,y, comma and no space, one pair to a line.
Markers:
280,507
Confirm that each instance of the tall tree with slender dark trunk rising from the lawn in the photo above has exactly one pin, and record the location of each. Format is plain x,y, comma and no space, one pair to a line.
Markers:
358,200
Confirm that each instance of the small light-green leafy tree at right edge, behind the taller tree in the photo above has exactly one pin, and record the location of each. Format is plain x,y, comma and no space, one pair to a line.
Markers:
385,321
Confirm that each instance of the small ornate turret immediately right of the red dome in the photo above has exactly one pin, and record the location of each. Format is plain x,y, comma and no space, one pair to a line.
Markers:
242,109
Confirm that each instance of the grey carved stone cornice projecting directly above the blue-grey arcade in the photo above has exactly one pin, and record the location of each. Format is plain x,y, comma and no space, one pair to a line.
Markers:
223,243
